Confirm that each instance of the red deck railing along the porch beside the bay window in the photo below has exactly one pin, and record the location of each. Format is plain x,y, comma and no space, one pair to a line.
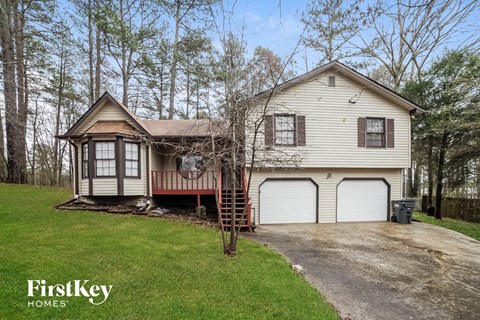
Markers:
172,182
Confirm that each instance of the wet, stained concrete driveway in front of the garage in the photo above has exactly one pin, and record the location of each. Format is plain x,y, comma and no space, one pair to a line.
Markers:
385,270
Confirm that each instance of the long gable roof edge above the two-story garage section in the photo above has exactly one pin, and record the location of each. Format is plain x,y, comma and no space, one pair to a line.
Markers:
357,77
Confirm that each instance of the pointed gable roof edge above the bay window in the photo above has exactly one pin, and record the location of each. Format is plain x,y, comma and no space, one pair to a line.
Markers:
106,100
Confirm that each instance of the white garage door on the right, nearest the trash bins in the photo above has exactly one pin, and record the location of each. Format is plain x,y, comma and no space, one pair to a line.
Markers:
362,200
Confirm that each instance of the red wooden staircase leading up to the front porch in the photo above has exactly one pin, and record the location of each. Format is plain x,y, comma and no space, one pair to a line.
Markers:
239,211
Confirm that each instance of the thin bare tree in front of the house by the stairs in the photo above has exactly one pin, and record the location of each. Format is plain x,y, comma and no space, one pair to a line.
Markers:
245,119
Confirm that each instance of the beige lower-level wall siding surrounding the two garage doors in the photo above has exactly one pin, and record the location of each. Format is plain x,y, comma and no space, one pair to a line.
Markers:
327,185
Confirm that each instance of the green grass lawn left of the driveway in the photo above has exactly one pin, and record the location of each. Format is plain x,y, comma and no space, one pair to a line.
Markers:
159,269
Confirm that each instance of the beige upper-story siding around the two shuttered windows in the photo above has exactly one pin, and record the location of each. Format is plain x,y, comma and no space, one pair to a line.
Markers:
331,126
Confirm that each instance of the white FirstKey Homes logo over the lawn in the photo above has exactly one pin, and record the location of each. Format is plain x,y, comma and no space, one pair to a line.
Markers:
54,295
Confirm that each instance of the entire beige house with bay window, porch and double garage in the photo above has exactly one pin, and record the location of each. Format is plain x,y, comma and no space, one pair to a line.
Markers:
331,147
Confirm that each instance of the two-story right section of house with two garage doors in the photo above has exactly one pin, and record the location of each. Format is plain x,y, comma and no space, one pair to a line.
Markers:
335,143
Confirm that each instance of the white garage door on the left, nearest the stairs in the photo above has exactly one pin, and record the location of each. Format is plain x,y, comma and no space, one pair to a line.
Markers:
288,201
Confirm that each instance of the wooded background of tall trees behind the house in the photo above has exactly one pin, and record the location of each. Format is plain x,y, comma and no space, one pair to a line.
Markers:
166,59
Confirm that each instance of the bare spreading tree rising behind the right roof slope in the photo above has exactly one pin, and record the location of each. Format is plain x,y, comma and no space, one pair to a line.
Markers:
402,37
